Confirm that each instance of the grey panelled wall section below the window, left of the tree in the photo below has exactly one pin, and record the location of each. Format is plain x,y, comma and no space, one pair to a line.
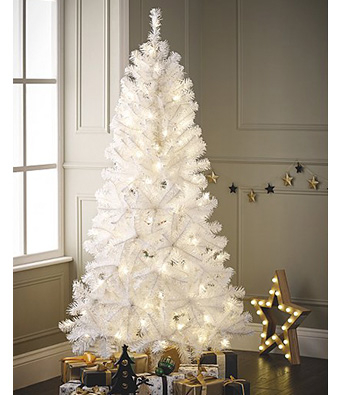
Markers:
40,298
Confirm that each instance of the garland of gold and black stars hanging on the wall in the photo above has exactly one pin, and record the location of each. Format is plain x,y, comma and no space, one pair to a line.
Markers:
288,179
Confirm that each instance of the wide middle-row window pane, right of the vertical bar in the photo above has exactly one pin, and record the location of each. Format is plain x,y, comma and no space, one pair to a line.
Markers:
41,124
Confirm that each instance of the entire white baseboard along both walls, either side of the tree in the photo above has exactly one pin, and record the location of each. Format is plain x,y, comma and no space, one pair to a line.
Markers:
44,364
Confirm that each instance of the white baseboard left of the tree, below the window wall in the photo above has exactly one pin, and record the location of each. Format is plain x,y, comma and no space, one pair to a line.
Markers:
39,365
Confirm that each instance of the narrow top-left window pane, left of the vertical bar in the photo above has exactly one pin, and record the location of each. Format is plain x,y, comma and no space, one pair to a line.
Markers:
17,38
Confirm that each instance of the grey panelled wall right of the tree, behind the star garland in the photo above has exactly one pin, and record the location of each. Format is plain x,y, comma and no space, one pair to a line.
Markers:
260,76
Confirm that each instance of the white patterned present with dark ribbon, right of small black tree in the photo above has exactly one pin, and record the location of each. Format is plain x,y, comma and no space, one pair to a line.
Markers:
159,385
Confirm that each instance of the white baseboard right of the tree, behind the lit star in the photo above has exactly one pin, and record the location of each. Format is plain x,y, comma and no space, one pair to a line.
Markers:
312,342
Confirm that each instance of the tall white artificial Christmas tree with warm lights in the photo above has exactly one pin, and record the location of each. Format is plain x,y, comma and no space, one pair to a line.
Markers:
157,278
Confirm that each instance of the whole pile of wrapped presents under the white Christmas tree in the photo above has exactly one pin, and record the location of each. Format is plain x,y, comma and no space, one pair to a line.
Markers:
214,374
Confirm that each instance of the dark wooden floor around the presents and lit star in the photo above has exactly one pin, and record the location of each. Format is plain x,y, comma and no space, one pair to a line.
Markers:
269,375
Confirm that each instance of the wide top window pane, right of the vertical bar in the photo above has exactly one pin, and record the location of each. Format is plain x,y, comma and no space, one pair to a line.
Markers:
41,38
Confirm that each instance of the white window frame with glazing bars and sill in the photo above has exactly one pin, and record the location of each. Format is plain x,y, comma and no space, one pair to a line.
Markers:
59,252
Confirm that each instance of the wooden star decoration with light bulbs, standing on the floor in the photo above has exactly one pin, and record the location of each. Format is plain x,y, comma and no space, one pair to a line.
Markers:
287,340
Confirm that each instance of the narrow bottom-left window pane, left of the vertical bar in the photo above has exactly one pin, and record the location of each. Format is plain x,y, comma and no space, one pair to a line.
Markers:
18,214
